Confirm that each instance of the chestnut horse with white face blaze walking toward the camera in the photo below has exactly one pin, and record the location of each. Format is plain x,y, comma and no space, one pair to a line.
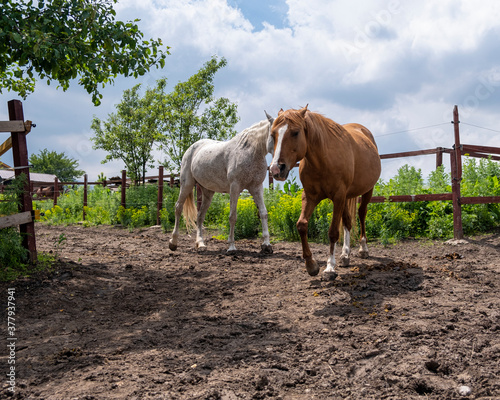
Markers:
338,162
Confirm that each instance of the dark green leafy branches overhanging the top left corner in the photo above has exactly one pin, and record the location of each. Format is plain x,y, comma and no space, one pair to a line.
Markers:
64,39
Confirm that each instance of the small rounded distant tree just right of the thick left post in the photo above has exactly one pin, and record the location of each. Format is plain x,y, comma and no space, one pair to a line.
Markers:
58,164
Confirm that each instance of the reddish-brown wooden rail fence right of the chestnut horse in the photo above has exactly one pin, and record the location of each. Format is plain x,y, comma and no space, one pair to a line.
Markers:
456,153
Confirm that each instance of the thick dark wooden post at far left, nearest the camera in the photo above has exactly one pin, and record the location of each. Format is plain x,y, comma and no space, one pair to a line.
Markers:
20,156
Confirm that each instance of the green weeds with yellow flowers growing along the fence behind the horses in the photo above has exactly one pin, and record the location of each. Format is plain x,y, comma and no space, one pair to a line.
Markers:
387,222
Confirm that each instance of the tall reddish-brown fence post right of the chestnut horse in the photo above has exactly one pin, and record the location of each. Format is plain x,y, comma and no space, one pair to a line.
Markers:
456,178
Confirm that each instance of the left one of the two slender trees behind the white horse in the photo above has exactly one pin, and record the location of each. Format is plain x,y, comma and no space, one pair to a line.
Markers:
129,134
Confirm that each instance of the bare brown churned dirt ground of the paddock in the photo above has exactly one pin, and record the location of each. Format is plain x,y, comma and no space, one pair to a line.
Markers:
123,317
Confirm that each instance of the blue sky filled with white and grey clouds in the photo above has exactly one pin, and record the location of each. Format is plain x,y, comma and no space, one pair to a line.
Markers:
397,67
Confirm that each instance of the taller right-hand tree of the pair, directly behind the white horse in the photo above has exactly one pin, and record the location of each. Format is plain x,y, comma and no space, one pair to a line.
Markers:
178,118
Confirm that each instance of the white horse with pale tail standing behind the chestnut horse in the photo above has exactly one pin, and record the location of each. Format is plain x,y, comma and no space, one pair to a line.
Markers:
225,167
